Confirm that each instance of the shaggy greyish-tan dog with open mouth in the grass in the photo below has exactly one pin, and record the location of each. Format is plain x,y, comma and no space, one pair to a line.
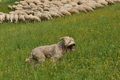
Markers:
53,52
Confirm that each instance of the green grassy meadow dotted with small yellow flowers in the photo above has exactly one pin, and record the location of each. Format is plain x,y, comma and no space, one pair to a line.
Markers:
96,55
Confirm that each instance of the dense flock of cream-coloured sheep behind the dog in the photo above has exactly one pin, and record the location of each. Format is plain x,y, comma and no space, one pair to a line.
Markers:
37,10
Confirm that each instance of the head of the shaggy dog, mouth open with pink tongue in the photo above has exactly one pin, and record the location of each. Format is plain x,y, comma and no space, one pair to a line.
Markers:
68,42
